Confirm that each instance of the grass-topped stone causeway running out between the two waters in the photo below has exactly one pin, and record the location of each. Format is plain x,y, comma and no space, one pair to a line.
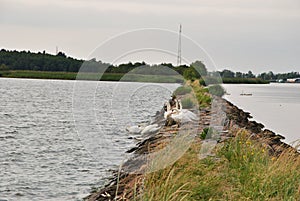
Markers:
247,163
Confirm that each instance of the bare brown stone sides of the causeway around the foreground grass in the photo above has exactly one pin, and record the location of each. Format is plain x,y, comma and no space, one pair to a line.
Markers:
222,112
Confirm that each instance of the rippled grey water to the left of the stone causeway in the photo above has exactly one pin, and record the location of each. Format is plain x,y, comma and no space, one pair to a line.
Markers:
46,155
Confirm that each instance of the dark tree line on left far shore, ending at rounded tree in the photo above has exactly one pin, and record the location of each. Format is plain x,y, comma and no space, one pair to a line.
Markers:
42,61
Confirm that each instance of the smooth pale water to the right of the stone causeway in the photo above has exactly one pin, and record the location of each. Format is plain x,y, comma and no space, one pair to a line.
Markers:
277,106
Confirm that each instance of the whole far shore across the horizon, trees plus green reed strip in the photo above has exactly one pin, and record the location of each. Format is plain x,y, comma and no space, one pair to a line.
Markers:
26,64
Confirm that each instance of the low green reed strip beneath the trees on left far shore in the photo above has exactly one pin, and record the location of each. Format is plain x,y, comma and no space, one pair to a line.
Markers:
90,76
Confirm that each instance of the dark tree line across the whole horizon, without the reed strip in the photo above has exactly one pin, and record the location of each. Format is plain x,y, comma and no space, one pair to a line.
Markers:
42,61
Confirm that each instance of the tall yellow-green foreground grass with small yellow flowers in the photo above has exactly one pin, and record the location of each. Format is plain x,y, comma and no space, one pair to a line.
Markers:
240,170
